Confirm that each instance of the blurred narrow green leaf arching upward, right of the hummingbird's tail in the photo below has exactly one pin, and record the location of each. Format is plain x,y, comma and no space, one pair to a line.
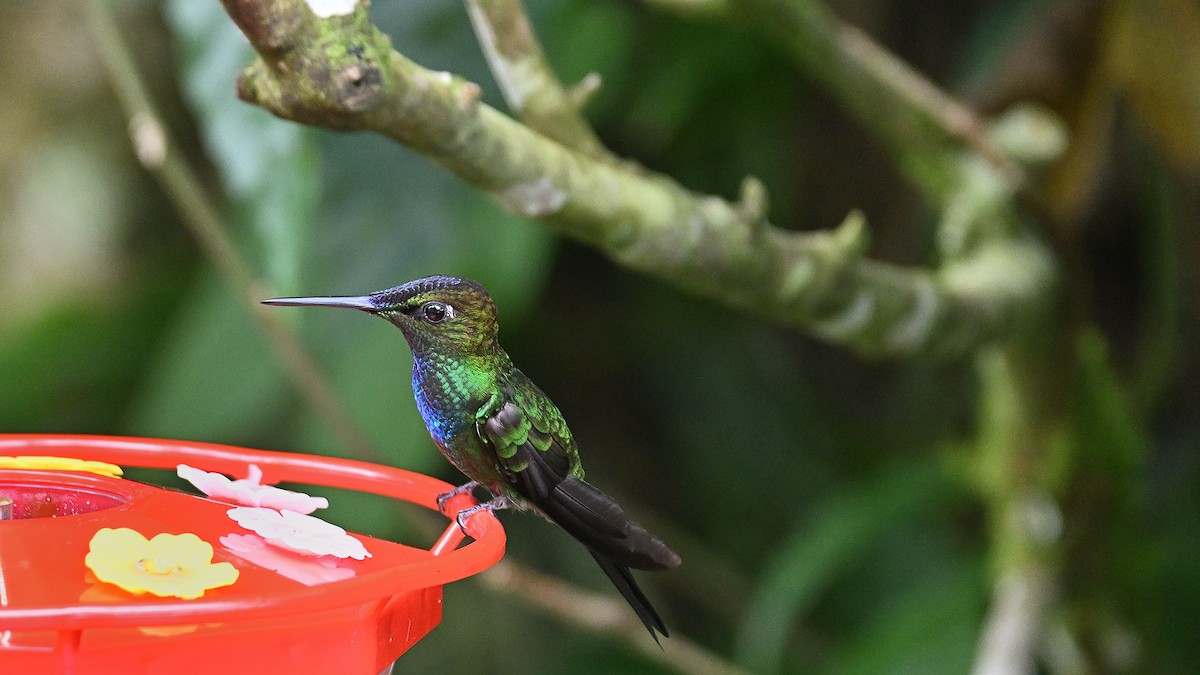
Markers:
835,535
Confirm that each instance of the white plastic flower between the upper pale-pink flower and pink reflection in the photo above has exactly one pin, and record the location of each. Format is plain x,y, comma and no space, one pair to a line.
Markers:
298,533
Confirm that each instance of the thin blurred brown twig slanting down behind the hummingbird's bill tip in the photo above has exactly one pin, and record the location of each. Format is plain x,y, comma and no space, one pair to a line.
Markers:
160,156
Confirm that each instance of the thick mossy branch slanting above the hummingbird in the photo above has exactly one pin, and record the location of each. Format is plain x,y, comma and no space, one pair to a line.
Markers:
341,73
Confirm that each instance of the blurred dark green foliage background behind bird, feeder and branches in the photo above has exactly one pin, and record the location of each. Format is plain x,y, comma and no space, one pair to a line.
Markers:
818,499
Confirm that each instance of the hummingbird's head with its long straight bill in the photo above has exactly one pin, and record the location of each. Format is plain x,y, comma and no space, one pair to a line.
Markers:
437,314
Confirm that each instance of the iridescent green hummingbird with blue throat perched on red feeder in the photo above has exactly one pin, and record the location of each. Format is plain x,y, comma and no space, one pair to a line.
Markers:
501,431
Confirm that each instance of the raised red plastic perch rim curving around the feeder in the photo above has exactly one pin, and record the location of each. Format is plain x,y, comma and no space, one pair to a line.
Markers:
448,564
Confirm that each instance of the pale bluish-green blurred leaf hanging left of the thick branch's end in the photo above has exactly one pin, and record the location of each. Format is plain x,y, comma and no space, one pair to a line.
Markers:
268,166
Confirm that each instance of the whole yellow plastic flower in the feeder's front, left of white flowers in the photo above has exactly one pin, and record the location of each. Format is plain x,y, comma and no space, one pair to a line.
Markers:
178,566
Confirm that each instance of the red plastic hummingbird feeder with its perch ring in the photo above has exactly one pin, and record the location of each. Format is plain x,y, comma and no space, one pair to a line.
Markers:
57,618
